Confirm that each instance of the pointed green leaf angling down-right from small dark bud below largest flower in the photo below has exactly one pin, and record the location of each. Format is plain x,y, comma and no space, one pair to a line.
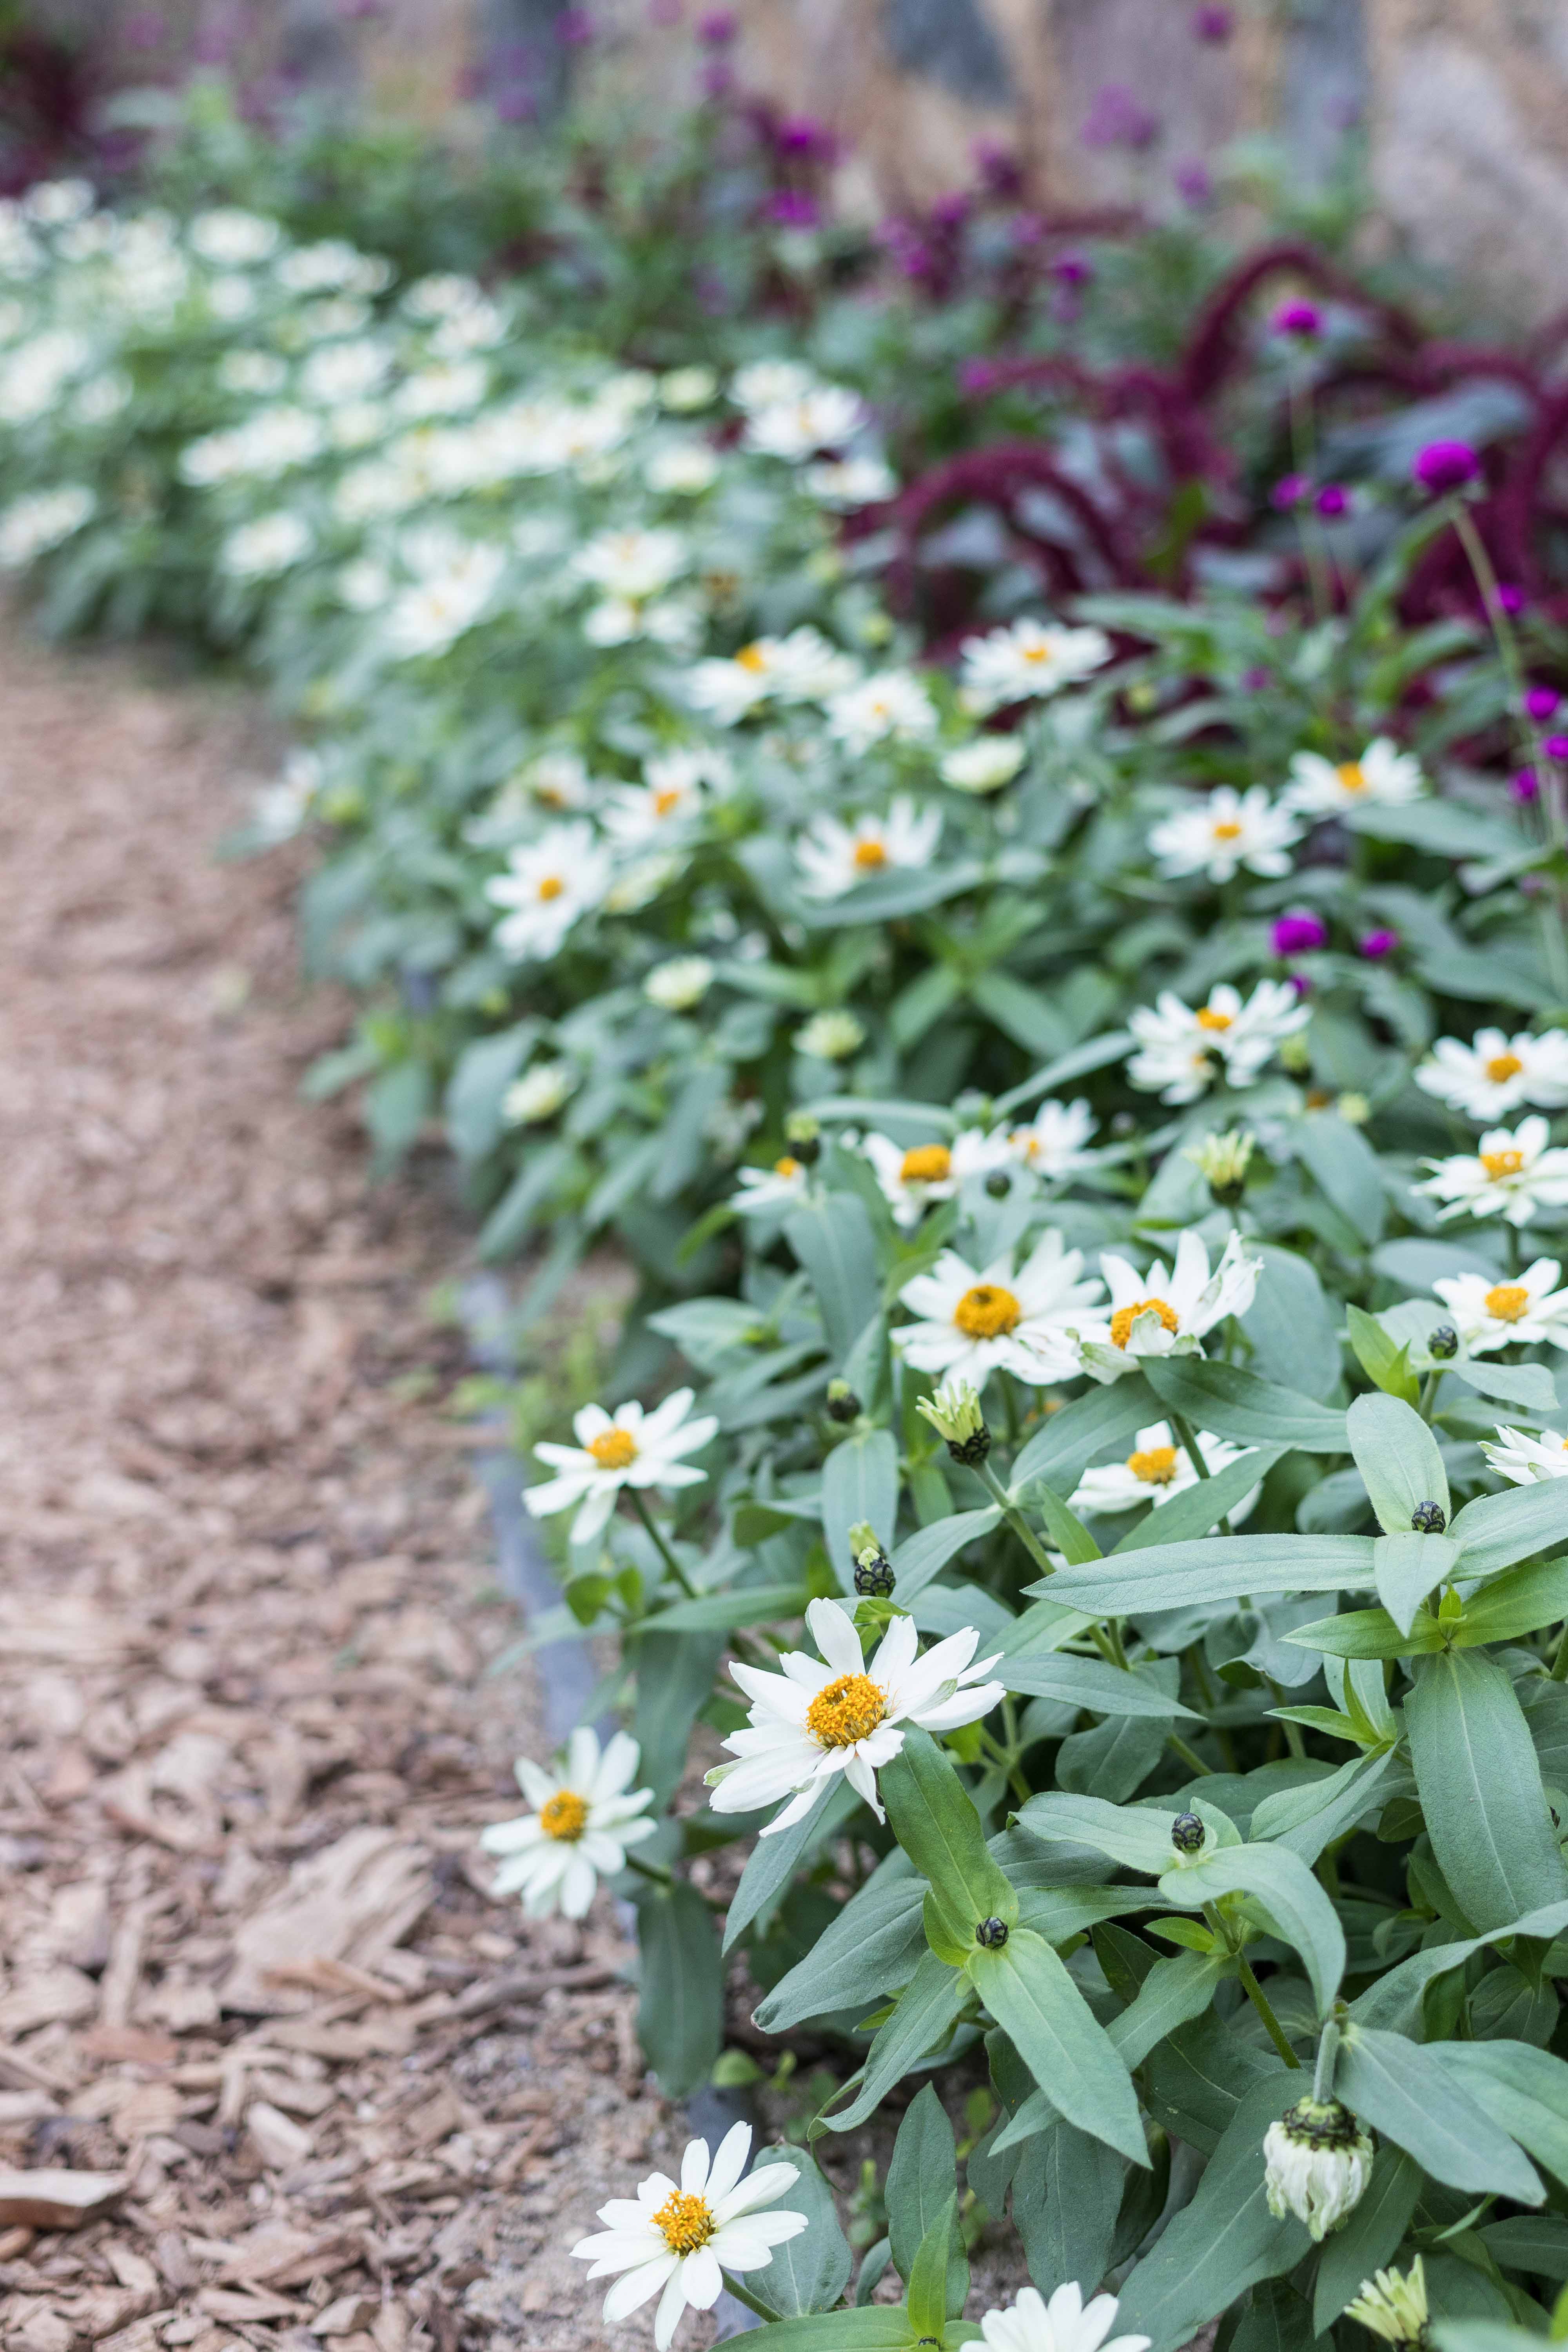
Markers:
1050,2024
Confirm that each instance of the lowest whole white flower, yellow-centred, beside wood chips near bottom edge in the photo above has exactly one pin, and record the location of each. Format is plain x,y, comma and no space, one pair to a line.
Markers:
678,2243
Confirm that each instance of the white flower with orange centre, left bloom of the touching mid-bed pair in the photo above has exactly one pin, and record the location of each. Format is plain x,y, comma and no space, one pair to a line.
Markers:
1003,1318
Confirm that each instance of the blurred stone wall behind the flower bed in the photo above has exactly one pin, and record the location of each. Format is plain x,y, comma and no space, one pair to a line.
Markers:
1463,105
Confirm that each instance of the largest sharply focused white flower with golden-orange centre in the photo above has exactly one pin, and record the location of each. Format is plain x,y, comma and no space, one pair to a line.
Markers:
845,1716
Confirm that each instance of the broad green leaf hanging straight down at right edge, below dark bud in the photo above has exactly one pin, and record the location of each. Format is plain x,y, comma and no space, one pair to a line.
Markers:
1480,1789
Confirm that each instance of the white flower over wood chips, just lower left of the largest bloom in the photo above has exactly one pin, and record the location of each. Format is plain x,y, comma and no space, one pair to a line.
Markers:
579,1826
